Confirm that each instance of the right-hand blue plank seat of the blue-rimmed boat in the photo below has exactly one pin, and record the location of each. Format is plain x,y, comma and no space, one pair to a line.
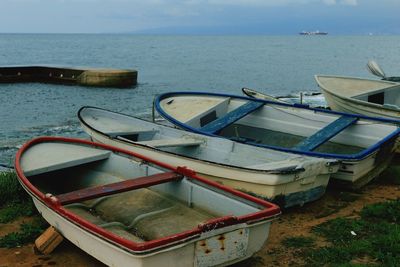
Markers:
325,133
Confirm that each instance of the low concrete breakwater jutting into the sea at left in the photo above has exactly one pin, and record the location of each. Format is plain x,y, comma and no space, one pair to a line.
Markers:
70,76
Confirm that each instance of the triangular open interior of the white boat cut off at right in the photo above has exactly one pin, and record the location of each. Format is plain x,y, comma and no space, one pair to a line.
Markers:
388,97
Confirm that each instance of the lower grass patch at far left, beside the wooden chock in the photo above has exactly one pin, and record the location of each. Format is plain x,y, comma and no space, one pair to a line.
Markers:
28,233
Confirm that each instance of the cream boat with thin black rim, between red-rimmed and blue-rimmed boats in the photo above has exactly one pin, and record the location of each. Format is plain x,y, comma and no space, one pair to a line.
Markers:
284,178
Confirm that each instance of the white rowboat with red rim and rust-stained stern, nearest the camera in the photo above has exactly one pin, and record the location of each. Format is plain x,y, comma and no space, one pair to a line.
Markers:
129,210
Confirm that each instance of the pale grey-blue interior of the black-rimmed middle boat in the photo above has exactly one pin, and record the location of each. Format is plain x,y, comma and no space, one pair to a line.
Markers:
184,143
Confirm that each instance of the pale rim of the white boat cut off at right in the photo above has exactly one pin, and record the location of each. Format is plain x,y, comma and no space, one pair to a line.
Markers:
355,100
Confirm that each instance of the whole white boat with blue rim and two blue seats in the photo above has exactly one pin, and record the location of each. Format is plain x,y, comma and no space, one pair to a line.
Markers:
364,145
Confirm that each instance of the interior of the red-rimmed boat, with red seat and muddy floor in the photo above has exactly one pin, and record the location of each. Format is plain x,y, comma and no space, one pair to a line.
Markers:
131,199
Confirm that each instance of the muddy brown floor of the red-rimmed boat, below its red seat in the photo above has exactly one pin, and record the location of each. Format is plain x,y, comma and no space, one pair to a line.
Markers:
140,215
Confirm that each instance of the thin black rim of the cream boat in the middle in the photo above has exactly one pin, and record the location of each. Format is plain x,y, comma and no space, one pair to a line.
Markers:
271,171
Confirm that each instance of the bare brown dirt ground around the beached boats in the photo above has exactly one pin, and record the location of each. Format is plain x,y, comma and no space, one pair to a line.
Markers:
296,221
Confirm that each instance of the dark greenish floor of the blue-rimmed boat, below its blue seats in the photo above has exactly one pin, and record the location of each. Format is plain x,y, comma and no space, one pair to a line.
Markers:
280,139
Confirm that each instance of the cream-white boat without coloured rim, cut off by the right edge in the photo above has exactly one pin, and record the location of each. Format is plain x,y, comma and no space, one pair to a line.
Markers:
376,98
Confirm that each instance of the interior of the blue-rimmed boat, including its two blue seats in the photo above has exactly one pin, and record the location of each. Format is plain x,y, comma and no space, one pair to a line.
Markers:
281,126
